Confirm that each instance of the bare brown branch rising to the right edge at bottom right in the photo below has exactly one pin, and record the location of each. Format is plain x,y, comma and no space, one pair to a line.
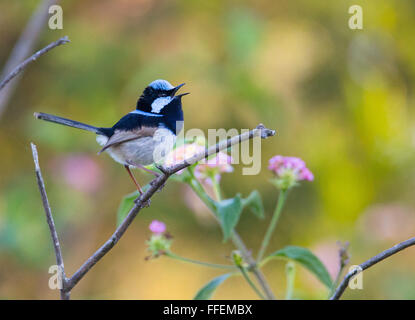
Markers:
367,264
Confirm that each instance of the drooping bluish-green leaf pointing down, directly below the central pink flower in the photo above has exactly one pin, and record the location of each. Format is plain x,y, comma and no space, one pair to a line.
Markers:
229,211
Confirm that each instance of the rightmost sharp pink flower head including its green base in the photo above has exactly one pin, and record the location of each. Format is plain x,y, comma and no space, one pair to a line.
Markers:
289,170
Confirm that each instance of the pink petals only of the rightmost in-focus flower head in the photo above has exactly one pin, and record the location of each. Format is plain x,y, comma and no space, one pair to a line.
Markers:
281,165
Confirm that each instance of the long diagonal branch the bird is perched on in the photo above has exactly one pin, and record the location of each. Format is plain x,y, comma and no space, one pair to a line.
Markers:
155,185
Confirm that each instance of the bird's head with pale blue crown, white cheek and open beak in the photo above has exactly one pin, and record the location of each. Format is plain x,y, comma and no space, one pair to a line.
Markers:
158,95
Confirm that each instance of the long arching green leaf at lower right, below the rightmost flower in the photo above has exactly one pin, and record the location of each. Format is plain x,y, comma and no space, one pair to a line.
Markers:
307,259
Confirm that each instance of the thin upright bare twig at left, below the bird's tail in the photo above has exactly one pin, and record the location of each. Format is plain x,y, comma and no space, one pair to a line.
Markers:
51,224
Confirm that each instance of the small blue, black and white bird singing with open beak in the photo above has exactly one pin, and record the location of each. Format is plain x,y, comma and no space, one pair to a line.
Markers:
143,136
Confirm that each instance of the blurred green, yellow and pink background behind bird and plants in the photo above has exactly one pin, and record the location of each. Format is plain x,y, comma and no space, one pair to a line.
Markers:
341,99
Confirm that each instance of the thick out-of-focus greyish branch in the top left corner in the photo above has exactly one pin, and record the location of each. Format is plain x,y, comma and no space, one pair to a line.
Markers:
23,47
